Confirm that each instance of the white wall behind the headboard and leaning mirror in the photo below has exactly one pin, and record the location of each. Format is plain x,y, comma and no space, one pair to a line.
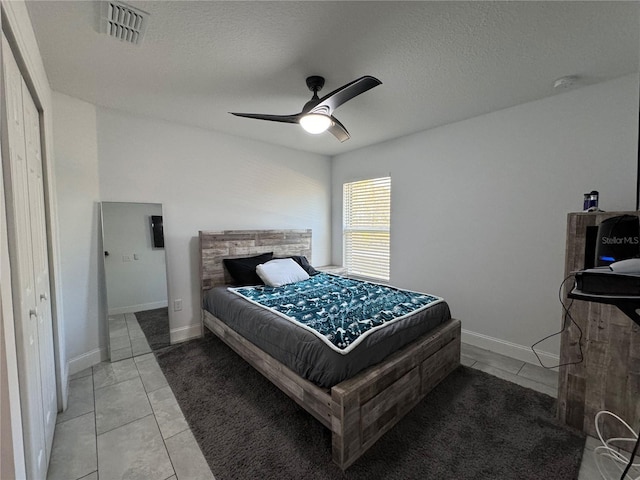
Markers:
209,181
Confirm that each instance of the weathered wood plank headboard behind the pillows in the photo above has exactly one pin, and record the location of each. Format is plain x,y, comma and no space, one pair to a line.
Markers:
216,246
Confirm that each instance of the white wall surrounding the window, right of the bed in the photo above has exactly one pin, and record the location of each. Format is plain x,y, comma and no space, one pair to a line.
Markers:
479,207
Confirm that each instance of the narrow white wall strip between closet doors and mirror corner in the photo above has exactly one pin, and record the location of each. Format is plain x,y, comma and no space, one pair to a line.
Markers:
76,149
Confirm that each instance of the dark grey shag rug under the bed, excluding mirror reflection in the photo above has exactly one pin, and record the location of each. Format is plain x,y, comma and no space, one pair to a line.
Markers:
472,426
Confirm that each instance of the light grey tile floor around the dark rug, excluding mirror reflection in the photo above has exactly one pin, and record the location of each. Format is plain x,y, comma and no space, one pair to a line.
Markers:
124,422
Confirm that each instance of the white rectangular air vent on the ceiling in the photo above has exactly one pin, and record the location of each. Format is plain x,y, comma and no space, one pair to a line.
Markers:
123,21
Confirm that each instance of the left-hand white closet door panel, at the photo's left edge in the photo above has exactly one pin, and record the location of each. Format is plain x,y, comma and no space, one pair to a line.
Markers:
26,315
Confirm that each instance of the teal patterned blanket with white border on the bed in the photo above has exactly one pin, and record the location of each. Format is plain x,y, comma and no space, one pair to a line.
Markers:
339,310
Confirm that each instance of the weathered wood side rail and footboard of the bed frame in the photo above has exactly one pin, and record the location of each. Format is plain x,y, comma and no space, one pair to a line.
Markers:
361,409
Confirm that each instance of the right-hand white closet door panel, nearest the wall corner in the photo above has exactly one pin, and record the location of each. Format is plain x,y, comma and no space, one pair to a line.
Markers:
40,264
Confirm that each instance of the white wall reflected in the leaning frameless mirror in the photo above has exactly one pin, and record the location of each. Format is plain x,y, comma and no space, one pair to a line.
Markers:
135,270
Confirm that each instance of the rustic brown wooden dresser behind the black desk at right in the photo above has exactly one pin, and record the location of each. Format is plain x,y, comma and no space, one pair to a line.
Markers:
609,376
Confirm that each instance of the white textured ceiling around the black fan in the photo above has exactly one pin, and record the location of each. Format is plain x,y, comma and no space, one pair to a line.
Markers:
439,62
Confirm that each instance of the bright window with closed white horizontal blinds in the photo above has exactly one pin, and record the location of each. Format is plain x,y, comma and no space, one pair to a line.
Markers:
366,227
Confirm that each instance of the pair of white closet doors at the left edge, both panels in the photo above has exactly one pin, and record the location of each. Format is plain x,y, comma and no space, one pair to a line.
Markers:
29,270
